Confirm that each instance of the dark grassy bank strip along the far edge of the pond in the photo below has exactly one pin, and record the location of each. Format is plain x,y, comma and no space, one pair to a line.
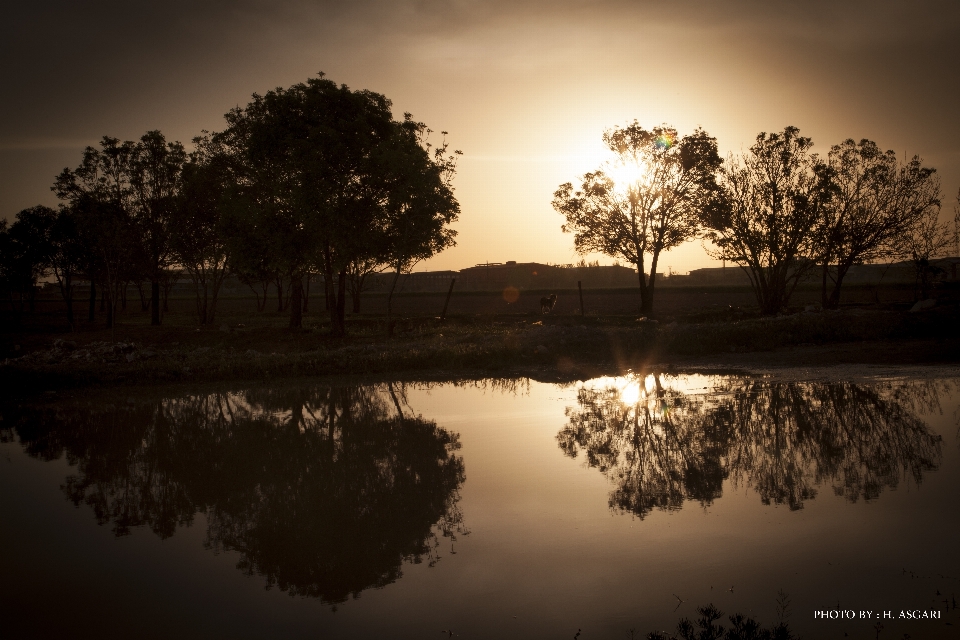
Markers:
42,355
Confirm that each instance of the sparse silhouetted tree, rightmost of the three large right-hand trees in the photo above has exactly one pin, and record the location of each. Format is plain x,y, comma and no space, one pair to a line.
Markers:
876,200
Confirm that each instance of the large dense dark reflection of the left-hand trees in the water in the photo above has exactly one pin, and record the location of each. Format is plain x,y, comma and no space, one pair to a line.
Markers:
324,492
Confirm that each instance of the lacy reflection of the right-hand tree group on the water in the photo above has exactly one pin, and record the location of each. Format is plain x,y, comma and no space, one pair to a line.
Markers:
782,439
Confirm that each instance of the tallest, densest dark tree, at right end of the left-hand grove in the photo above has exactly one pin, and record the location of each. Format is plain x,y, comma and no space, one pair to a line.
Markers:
326,174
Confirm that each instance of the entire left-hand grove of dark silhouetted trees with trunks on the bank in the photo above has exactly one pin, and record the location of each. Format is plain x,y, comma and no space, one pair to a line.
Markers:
312,179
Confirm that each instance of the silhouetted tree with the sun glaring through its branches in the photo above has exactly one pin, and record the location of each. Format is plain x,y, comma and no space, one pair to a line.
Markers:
645,202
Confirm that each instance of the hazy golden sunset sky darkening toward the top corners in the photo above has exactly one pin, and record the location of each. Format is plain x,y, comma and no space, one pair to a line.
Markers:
525,89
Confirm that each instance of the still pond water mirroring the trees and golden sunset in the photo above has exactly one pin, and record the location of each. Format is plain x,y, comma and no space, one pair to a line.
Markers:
511,509
